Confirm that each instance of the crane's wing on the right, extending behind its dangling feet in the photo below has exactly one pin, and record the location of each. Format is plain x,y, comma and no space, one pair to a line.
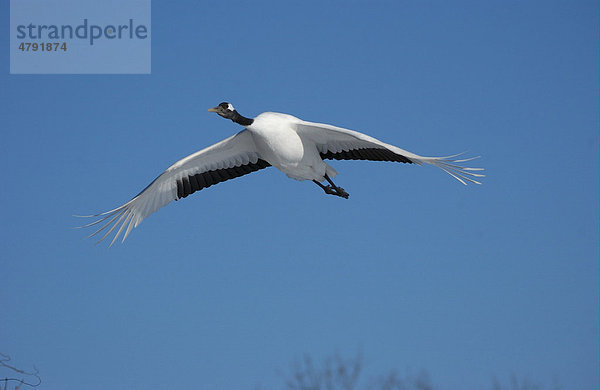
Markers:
342,144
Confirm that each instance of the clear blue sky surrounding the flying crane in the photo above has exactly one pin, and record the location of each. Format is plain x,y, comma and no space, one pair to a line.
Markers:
224,289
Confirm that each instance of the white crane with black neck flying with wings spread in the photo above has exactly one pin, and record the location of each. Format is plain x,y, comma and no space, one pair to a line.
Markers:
295,147
